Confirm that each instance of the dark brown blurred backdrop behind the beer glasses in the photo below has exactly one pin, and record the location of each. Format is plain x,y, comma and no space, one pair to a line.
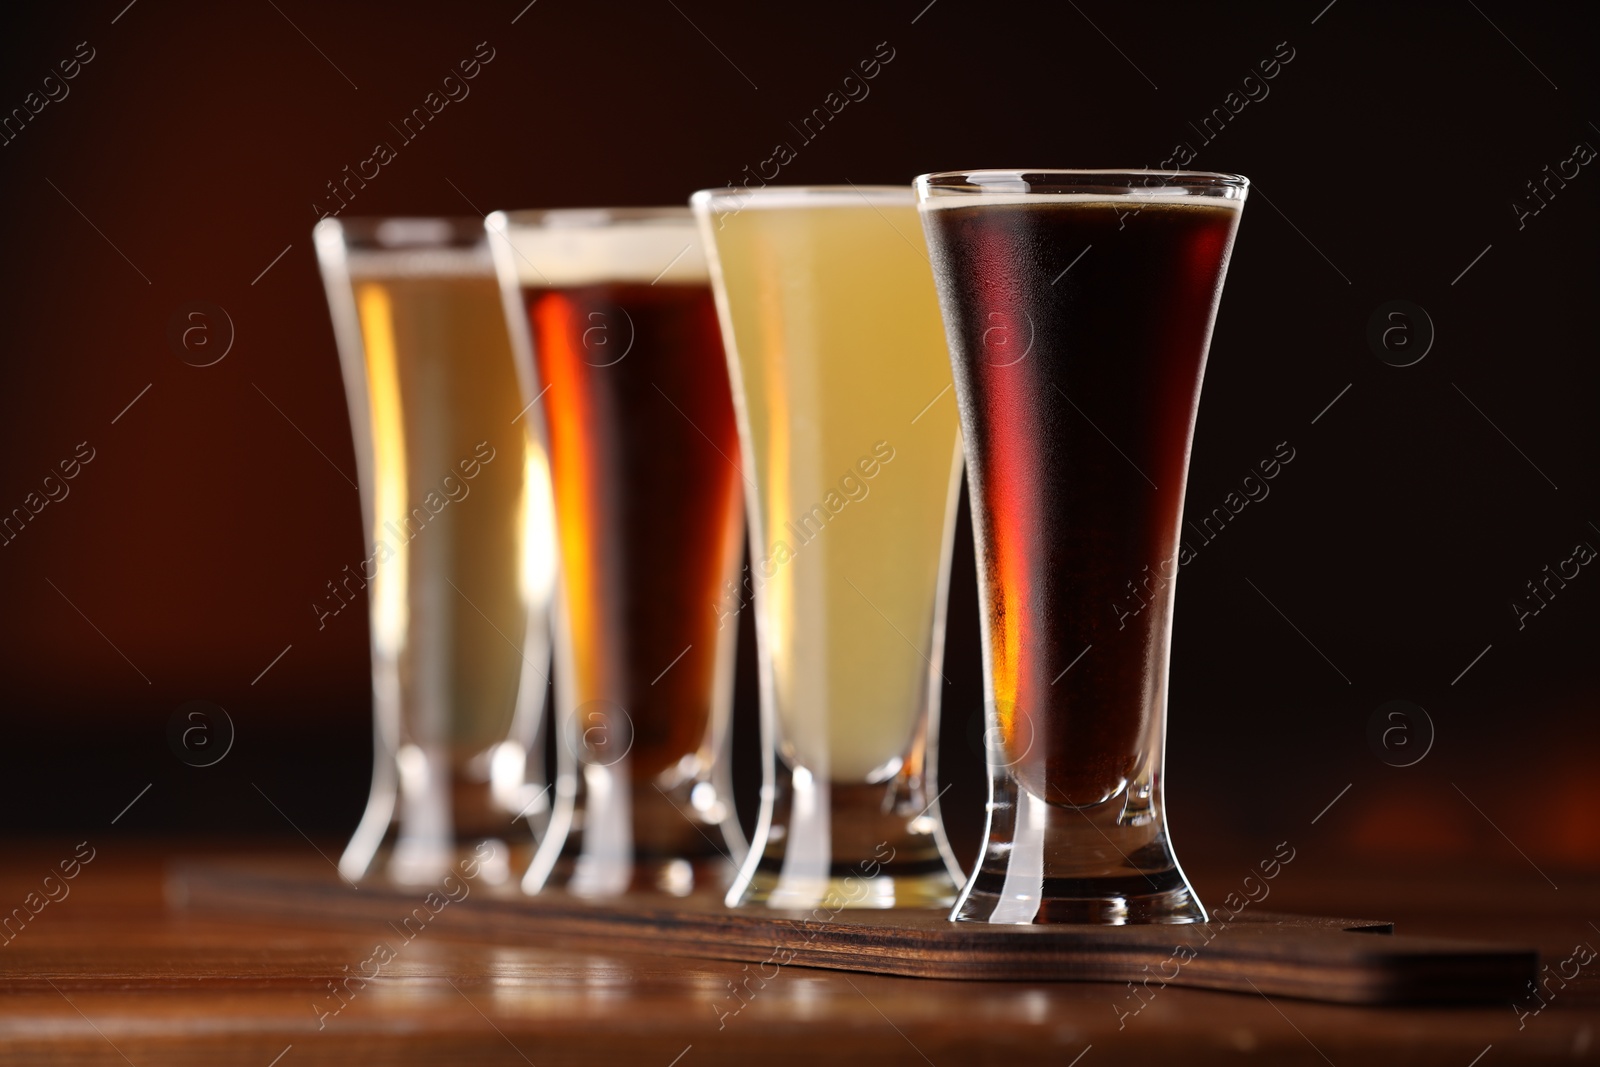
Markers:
1386,159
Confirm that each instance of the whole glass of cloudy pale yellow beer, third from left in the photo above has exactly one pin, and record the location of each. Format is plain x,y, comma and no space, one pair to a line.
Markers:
850,434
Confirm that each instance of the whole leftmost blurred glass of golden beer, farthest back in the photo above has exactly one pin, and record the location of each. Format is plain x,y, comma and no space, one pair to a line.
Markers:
458,572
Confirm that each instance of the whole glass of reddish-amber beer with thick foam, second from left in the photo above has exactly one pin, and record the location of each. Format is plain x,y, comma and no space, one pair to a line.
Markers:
623,366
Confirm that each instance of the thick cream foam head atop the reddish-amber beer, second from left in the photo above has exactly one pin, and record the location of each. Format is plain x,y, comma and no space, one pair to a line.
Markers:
594,247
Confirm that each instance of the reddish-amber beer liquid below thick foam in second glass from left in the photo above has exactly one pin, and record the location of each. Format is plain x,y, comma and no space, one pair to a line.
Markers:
642,446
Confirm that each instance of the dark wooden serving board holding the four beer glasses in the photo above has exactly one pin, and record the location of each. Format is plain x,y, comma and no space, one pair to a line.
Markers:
1353,962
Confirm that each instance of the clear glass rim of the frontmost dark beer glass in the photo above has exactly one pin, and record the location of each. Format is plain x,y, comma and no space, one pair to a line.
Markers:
1065,182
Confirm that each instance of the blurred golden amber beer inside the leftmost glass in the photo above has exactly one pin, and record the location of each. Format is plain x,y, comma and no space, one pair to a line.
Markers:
452,593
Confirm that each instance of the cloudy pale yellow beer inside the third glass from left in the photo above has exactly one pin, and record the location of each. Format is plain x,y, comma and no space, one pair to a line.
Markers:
842,358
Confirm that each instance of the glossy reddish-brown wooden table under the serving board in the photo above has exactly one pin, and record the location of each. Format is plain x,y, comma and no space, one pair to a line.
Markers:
110,975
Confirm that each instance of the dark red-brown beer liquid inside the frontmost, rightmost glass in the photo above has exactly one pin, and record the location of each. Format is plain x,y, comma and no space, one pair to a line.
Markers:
1078,391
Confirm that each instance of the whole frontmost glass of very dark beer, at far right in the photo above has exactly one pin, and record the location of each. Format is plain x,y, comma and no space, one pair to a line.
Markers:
1079,310
